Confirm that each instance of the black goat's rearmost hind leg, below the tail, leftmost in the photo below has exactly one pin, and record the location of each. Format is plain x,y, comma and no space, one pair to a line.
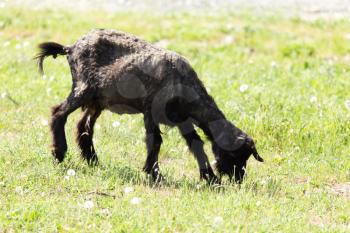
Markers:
58,120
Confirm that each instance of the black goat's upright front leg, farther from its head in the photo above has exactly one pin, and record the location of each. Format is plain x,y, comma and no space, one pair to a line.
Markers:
153,142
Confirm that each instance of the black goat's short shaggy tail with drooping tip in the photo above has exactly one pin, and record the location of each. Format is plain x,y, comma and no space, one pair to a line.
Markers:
49,49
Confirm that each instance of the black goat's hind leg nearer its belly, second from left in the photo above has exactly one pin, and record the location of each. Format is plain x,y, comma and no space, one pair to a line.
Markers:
85,131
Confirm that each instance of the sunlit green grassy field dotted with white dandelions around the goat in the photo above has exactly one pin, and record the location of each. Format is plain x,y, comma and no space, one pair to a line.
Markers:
285,81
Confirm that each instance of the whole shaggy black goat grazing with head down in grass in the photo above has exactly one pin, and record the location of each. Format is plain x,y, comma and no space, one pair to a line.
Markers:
116,71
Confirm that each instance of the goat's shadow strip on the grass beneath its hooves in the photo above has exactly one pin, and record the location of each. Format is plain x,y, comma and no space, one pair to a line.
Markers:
126,174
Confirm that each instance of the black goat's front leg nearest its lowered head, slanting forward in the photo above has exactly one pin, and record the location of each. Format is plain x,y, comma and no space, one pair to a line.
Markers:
195,144
